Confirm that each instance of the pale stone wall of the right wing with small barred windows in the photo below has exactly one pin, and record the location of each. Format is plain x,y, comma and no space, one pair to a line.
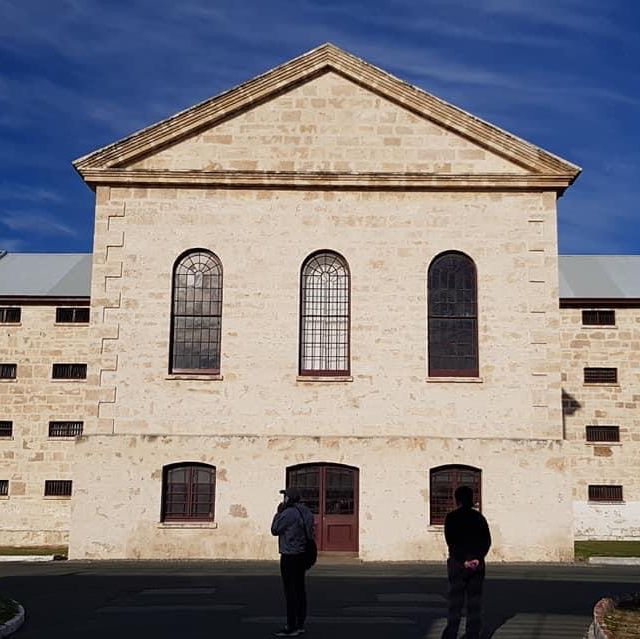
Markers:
615,405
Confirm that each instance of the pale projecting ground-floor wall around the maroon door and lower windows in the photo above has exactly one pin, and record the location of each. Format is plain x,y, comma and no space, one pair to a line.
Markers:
118,499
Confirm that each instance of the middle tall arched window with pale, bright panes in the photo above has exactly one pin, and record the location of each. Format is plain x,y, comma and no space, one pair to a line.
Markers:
324,315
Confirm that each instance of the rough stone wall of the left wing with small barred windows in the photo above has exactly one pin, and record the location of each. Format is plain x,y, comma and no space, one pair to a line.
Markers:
27,517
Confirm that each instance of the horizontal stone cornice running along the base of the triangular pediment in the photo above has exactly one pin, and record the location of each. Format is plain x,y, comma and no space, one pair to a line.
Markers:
324,180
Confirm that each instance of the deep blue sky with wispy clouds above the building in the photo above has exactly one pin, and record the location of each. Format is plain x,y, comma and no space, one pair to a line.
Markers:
78,74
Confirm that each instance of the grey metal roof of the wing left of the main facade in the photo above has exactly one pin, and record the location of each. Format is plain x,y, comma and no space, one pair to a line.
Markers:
45,274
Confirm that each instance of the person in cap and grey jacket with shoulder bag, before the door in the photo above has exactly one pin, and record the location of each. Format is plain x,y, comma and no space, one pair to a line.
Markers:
293,524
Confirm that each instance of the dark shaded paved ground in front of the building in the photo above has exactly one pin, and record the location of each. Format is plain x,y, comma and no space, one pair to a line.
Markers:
243,600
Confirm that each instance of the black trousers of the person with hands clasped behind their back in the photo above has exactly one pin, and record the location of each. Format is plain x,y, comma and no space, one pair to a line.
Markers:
464,582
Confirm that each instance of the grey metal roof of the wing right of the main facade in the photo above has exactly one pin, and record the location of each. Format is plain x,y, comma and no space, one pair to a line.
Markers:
599,276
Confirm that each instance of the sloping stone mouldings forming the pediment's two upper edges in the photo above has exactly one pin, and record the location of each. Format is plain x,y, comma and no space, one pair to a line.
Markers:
302,69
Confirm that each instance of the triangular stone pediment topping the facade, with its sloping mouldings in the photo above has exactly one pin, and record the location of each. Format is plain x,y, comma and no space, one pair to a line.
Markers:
326,111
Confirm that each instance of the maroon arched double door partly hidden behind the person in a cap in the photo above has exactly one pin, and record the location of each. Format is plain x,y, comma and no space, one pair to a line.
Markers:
331,492
